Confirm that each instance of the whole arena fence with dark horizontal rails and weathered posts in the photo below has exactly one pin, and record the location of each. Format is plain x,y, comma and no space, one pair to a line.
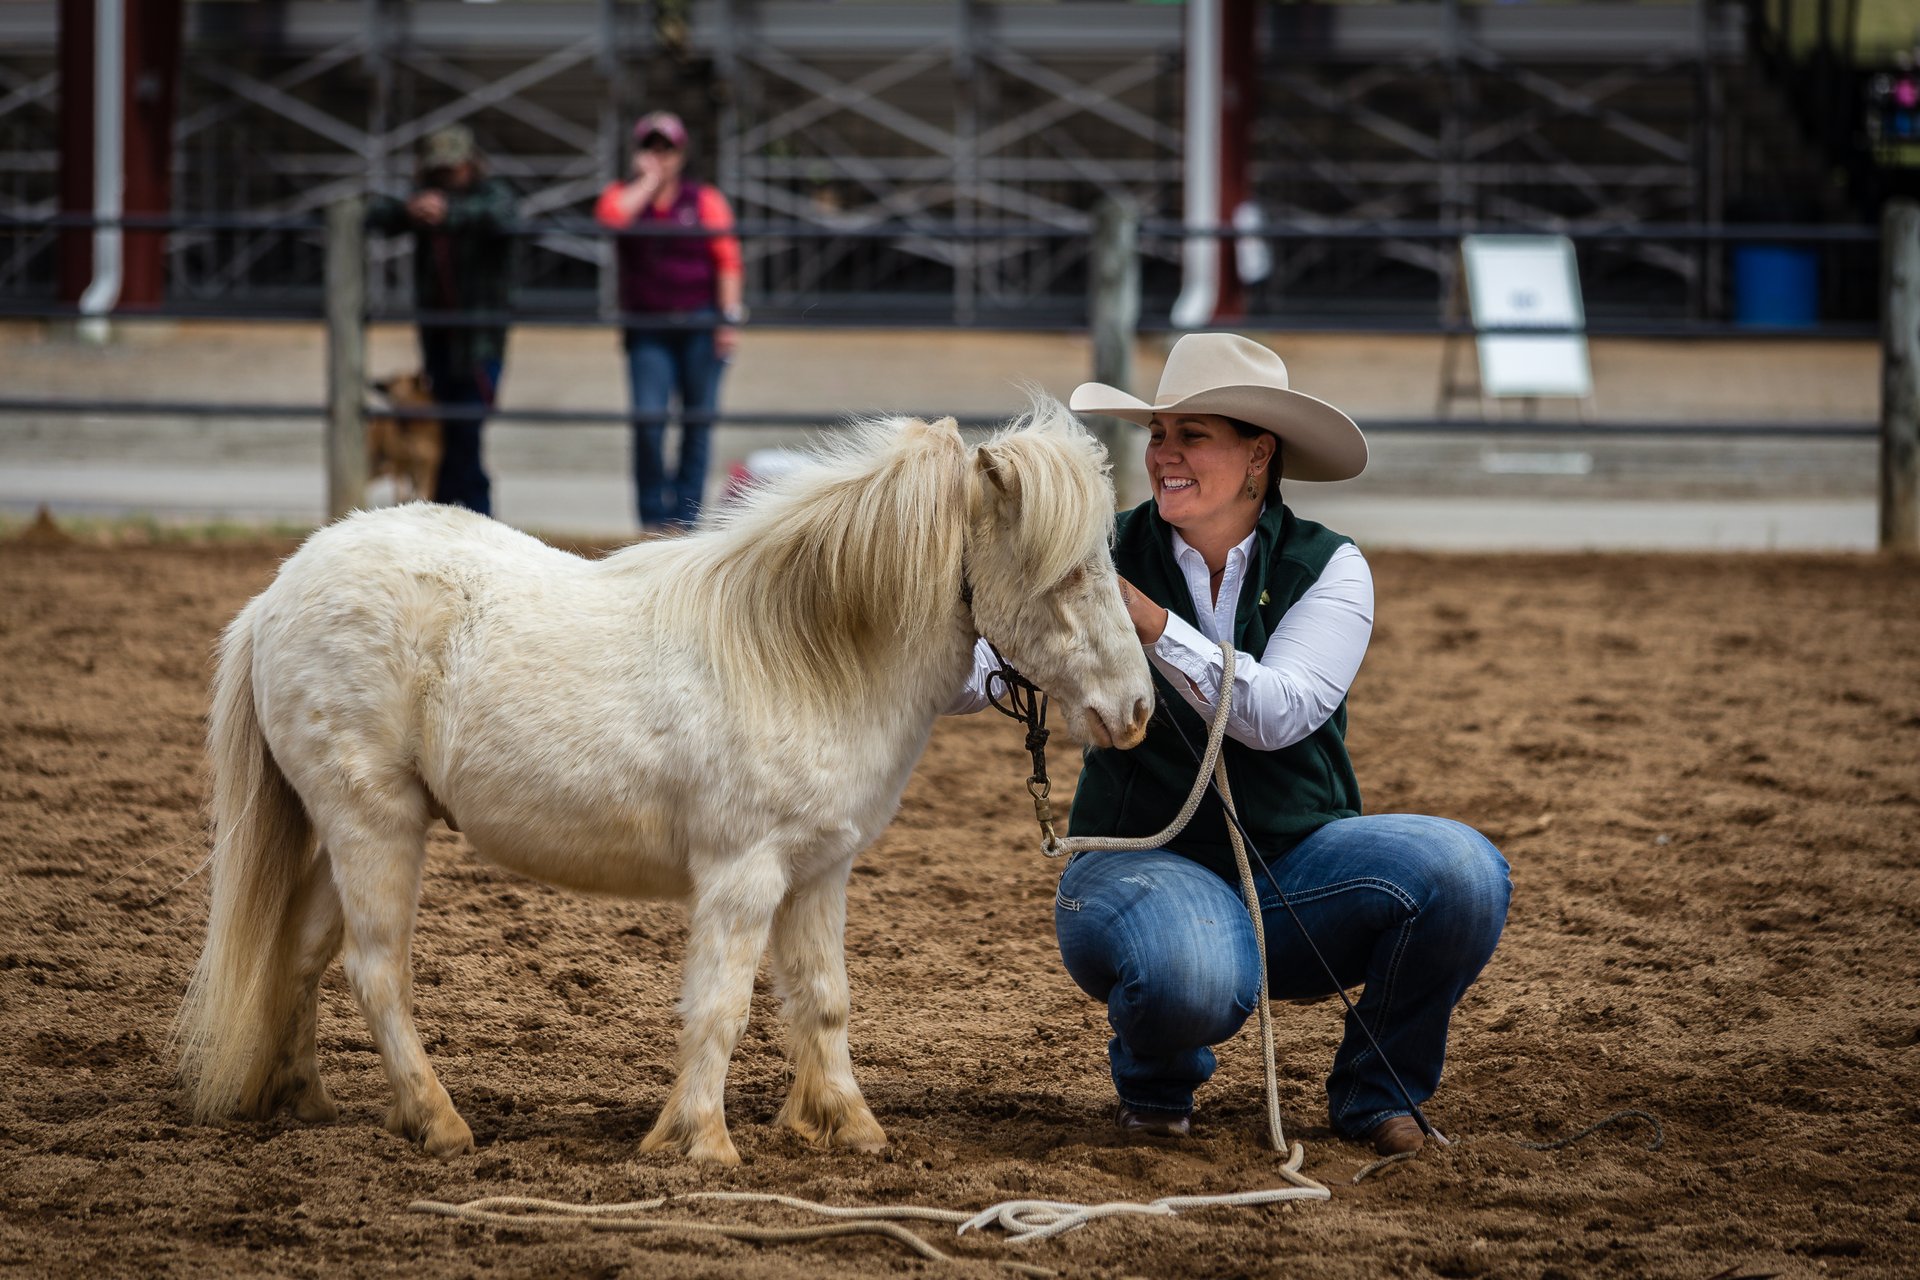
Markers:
1111,310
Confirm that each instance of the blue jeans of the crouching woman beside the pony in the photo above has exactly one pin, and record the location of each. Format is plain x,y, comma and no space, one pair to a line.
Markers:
1412,907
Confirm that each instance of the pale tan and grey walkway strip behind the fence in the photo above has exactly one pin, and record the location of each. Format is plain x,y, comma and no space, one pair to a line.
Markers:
1456,490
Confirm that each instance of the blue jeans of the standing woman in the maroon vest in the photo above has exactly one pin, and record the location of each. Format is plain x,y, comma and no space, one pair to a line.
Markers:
660,366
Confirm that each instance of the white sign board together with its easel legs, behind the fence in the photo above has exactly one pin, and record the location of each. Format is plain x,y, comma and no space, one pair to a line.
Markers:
1508,285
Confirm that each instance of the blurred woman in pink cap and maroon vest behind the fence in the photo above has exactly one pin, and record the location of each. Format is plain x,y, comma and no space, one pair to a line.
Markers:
694,285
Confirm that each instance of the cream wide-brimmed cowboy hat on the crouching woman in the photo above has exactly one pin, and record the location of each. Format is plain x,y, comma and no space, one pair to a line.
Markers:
1239,379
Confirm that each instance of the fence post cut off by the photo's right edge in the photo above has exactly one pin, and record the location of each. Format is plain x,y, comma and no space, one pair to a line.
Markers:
1900,379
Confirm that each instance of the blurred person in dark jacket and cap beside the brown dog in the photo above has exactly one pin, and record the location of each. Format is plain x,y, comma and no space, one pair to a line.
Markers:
462,224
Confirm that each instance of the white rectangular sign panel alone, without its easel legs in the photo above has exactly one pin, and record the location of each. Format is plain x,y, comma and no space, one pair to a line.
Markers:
1527,283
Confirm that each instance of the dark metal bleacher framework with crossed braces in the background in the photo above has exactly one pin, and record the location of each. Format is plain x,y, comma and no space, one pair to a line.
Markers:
1003,120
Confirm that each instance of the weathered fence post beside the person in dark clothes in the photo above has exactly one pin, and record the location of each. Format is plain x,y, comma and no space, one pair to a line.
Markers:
347,356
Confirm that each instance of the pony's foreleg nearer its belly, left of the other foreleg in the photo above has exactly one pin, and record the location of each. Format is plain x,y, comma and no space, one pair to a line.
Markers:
727,934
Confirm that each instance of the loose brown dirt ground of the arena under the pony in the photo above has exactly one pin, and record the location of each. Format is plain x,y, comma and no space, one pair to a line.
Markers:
1704,772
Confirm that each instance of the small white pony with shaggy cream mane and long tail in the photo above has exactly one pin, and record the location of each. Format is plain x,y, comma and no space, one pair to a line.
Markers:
725,719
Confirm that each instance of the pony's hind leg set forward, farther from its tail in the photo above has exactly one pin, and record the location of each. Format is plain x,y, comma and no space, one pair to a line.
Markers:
379,878
